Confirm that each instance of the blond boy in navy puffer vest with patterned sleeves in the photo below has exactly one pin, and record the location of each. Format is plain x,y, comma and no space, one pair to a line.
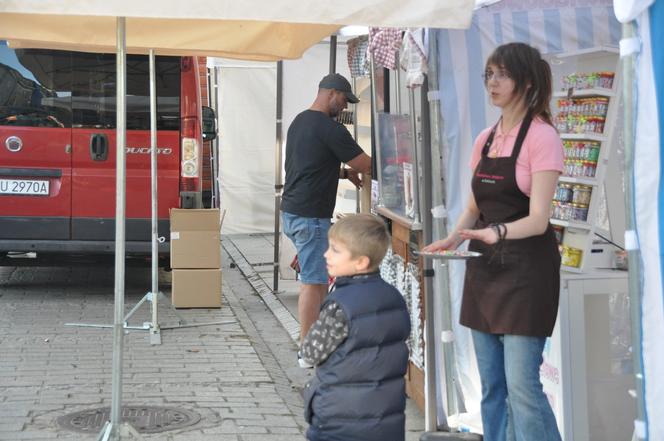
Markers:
358,344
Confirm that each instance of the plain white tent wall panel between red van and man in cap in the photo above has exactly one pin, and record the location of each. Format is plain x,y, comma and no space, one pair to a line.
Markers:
247,117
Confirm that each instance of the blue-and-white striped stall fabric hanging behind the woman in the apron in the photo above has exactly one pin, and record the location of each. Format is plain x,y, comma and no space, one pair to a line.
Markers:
466,109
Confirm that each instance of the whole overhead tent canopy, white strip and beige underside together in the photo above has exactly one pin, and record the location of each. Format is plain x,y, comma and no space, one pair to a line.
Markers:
261,30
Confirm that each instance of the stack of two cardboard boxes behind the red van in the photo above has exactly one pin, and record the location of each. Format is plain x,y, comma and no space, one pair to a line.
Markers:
196,258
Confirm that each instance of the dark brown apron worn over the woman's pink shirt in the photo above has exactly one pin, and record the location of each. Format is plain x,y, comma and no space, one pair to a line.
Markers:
513,287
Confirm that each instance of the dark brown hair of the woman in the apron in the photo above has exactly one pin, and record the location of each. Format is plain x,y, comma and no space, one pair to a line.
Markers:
525,66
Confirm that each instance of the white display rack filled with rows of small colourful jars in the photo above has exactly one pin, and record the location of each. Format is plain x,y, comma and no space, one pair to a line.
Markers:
585,107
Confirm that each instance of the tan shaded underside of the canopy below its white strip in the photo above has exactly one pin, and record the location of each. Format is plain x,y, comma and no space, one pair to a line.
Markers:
248,40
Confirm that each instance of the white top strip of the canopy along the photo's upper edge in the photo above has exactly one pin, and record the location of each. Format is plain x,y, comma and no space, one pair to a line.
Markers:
389,13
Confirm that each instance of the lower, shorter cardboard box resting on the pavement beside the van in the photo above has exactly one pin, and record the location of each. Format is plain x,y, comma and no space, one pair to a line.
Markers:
196,288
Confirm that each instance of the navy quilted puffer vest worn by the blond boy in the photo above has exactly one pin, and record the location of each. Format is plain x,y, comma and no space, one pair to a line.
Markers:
358,393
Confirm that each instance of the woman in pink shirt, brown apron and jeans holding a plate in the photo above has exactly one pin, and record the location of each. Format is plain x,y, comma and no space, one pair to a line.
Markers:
510,297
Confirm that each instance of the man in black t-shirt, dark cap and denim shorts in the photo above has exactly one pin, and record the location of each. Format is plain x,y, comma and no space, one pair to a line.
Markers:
315,148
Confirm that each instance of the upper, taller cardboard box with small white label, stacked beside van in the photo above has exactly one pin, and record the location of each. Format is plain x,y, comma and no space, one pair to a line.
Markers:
195,238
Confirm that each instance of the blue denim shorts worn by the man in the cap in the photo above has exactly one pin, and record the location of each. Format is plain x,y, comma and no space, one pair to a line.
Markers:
309,234
